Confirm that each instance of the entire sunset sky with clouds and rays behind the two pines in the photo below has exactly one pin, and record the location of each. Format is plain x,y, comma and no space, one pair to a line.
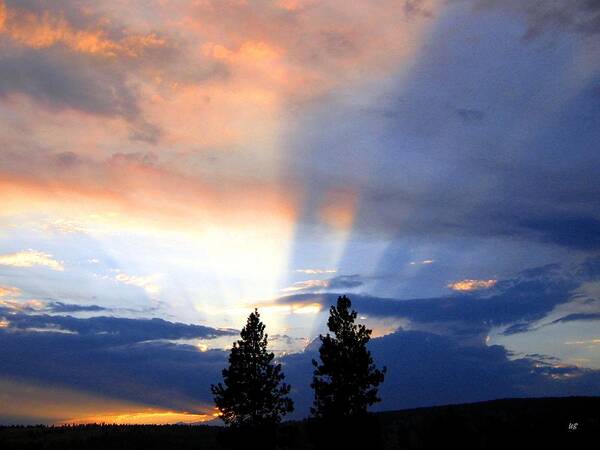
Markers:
166,166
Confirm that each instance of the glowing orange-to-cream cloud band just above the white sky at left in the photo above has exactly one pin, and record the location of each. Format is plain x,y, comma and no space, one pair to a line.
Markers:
129,194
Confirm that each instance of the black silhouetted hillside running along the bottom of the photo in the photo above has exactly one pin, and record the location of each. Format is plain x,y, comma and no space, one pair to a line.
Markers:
572,422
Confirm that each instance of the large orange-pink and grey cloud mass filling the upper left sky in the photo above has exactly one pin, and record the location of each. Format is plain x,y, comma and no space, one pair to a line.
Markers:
186,76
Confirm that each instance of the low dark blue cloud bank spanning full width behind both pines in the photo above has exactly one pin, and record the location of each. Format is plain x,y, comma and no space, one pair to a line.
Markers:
423,369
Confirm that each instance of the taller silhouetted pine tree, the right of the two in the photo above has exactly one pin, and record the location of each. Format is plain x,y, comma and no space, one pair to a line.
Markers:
347,380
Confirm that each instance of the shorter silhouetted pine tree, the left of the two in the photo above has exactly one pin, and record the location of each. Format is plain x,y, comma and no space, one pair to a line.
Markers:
252,392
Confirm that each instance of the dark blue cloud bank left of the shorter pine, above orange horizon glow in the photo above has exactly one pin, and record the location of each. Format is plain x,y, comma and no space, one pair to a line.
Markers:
125,358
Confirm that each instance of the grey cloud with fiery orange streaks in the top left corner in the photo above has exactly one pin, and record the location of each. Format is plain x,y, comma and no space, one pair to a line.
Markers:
67,58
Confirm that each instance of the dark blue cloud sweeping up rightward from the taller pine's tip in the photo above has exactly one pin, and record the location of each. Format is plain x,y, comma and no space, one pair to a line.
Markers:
515,303
